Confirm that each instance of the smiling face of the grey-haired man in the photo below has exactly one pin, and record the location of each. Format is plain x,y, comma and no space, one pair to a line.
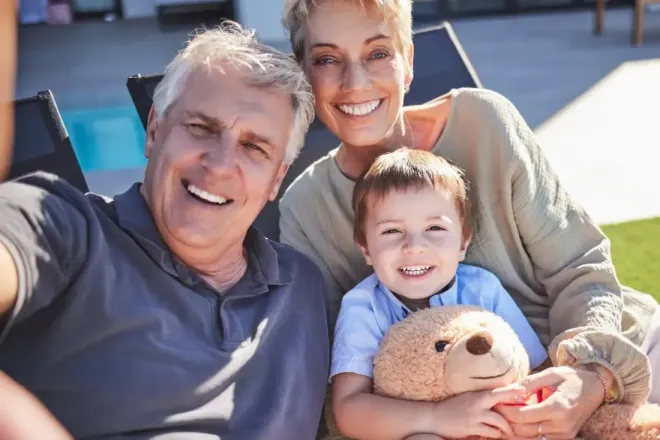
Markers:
215,159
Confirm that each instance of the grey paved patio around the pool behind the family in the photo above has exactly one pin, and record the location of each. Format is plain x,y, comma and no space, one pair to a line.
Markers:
593,101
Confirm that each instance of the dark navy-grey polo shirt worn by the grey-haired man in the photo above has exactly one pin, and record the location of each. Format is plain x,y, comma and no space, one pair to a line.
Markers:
119,339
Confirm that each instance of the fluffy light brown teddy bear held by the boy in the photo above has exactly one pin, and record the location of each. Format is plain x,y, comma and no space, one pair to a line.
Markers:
439,352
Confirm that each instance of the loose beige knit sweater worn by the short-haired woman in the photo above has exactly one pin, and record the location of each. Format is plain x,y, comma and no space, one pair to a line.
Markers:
551,257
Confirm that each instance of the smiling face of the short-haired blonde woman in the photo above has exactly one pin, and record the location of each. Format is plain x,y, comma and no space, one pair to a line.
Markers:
357,70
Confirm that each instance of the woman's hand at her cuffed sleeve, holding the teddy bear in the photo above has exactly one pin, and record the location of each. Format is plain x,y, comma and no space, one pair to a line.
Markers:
576,394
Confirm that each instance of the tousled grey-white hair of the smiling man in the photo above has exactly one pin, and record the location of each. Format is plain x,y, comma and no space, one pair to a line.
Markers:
264,66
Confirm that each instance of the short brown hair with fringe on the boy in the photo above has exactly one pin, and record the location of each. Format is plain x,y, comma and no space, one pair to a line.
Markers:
403,169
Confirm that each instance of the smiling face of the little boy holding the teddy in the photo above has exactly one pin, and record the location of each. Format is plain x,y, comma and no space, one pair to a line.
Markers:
414,241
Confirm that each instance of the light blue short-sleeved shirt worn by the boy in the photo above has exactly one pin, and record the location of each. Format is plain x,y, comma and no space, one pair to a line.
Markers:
369,309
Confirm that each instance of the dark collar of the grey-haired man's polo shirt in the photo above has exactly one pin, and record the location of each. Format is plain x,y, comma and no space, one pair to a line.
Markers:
134,217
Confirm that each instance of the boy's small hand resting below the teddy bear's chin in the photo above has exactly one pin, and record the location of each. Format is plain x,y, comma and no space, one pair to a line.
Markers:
471,413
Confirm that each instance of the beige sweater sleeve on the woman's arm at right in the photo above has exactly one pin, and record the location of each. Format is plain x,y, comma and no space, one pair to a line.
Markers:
571,258
